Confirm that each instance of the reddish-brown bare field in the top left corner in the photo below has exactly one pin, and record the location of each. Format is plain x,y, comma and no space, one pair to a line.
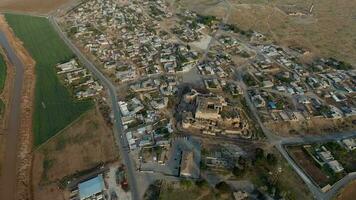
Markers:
32,6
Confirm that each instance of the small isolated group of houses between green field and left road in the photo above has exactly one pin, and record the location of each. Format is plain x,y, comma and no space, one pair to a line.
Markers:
79,79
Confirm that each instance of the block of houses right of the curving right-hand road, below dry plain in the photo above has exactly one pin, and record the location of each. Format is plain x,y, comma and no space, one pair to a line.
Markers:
291,91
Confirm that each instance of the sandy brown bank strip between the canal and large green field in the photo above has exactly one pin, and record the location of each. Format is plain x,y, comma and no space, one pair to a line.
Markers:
24,144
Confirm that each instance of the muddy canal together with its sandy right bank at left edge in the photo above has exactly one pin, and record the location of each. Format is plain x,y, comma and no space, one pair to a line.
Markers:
16,170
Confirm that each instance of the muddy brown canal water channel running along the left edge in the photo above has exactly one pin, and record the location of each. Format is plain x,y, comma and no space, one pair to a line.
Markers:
9,176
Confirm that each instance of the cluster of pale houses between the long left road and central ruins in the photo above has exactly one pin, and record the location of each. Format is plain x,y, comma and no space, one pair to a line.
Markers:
143,109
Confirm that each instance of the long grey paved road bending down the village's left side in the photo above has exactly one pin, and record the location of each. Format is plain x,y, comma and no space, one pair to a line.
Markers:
121,138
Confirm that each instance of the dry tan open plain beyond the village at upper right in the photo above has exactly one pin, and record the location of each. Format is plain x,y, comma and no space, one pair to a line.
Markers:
328,31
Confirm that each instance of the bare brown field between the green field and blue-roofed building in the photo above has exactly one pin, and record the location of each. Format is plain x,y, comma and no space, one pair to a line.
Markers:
82,146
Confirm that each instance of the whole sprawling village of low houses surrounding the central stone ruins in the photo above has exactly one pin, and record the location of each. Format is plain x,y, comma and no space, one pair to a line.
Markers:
185,74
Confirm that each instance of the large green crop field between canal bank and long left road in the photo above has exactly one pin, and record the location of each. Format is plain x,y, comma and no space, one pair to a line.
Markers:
55,108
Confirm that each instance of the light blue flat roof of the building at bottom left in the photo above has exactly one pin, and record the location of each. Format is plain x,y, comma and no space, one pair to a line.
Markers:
91,187
